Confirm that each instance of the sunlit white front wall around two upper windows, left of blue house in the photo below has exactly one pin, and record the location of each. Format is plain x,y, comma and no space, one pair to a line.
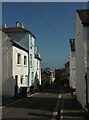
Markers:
20,69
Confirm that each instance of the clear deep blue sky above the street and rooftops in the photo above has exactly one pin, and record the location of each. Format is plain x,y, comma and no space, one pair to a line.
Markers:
53,24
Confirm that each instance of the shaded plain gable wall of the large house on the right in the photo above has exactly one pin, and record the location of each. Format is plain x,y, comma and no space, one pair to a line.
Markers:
80,65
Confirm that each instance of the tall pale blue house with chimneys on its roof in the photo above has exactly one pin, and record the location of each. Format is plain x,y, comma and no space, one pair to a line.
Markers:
25,39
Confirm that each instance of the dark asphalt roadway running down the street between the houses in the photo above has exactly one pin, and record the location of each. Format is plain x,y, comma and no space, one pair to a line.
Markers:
41,106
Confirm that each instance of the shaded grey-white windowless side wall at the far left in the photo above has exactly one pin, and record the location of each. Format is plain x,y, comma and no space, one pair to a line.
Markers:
7,78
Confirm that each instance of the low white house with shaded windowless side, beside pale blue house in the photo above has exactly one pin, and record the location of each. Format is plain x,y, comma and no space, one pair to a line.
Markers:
14,67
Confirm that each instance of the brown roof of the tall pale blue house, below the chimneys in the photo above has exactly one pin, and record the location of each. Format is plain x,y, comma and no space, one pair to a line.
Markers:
16,29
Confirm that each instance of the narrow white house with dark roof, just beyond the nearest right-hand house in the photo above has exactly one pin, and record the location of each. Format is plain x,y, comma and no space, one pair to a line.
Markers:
72,80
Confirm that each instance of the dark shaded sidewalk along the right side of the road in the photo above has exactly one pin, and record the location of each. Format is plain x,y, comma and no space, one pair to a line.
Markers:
71,108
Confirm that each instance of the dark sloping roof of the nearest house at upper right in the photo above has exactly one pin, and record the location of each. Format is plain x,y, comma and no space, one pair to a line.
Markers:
84,16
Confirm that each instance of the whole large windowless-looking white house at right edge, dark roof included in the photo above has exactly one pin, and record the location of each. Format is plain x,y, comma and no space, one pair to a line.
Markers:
82,56
